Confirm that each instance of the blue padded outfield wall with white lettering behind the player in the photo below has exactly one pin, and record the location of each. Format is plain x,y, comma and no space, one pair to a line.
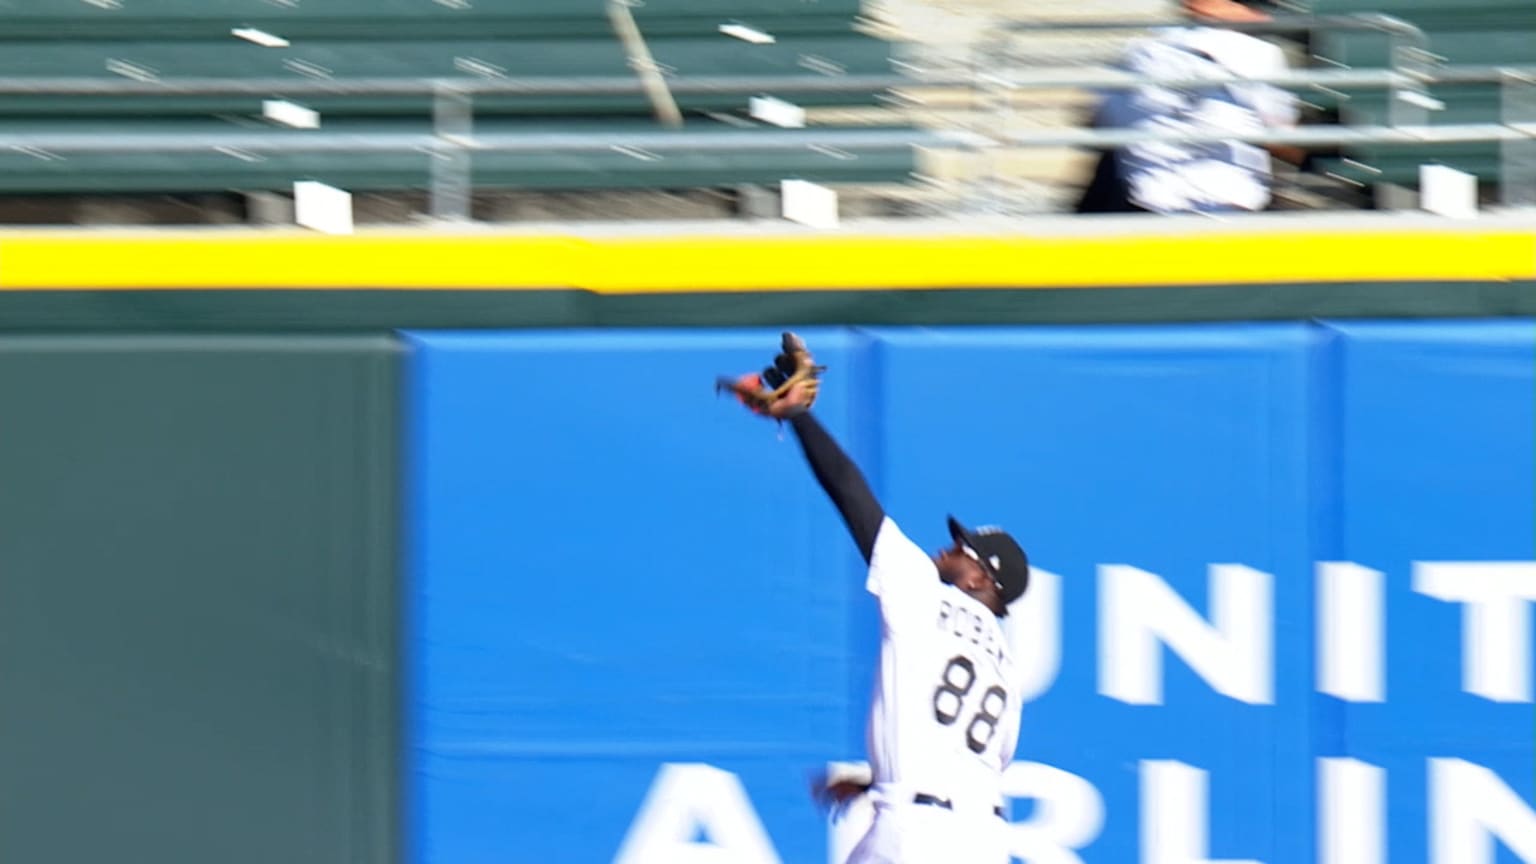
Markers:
1282,608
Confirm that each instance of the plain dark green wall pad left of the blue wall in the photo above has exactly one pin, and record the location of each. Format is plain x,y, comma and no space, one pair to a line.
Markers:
199,600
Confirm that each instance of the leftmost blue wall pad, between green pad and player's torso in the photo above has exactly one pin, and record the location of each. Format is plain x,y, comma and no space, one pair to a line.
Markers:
615,571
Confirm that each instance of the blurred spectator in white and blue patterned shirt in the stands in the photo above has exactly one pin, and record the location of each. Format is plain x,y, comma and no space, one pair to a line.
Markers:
1196,178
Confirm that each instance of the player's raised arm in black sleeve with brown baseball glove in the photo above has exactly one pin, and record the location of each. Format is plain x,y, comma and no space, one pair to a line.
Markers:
786,391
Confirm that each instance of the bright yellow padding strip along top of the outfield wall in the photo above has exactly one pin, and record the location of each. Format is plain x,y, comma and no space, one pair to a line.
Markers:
254,261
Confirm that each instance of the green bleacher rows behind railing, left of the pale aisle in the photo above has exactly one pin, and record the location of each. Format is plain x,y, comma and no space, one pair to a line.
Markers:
442,41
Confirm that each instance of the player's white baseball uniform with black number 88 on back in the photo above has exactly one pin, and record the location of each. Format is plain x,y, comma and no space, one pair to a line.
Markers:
944,723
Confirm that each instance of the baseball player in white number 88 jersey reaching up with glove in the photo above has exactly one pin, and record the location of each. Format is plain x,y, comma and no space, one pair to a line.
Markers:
944,723
